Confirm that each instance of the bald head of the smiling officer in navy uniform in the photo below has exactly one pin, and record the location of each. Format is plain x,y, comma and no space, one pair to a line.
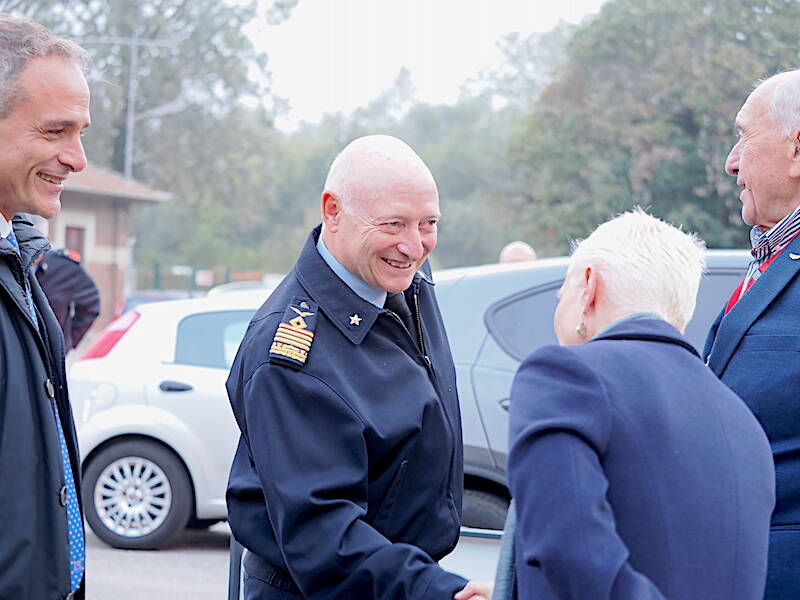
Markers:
380,210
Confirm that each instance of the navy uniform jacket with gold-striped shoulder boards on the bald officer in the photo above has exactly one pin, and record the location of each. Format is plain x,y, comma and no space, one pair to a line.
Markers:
348,477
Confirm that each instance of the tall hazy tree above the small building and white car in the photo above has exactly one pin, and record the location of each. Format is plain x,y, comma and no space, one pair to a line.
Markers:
194,135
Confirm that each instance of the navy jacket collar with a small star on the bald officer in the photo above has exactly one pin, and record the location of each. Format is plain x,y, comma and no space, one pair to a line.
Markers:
353,315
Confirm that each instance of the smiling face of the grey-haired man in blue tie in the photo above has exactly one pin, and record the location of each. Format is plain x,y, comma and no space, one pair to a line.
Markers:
42,137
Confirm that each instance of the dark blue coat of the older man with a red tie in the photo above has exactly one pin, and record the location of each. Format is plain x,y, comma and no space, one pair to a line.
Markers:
755,350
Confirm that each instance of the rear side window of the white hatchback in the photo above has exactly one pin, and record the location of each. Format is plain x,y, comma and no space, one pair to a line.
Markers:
211,339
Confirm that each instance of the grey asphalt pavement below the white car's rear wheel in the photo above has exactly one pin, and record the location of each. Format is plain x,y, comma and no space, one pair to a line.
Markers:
194,567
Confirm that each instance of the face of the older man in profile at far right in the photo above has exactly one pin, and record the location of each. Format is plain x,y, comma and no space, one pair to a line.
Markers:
763,162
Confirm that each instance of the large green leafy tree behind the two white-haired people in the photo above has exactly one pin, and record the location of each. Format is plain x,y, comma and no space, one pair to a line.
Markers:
641,112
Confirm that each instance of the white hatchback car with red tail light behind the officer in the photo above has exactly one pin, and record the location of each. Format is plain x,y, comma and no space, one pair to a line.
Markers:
156,431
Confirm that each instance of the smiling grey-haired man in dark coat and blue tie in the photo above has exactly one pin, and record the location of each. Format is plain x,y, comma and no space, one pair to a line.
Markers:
44,106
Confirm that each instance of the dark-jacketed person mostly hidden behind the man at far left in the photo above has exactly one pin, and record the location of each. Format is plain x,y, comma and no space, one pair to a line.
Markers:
72,294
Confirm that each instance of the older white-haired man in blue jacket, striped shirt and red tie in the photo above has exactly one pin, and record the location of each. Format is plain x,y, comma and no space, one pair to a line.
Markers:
753,345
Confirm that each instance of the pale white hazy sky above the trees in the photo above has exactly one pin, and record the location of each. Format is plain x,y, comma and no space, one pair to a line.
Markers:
336,55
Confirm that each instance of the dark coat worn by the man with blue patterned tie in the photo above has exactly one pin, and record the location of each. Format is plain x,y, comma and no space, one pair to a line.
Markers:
34,545
